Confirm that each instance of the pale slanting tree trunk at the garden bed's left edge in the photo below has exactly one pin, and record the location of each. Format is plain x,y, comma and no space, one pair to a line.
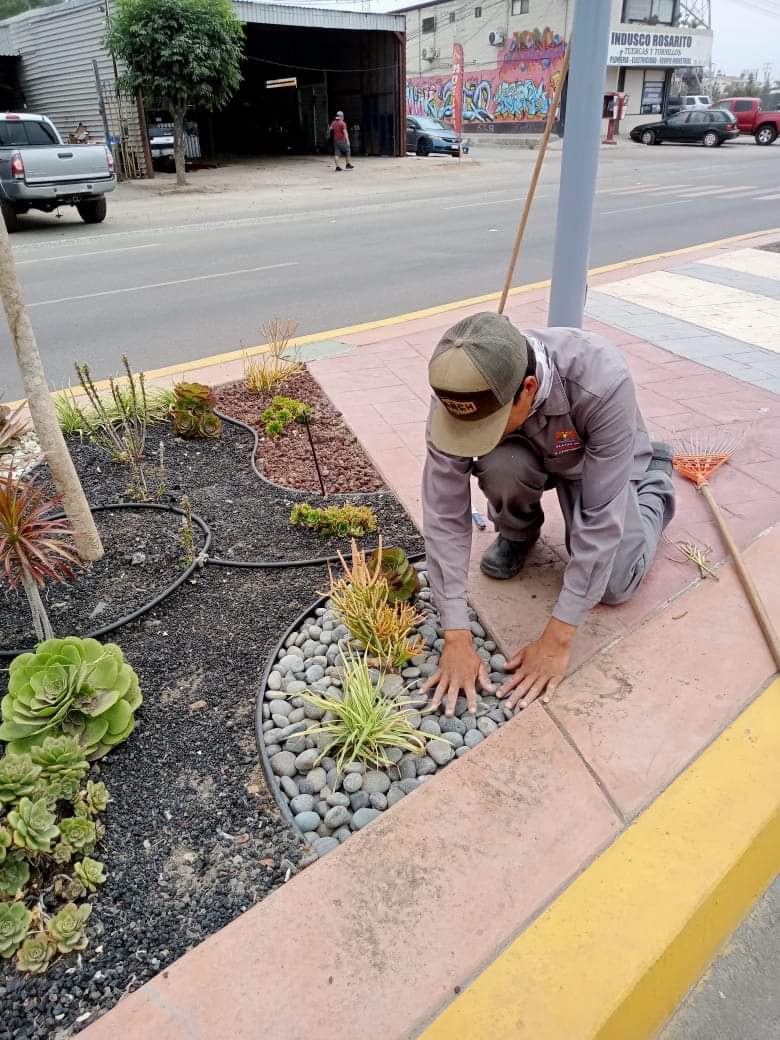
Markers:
42,408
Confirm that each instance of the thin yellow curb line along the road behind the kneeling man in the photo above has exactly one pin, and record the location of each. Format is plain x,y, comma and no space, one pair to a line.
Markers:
220,359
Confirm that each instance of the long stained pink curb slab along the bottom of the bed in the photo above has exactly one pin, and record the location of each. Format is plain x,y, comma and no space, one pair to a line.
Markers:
372,941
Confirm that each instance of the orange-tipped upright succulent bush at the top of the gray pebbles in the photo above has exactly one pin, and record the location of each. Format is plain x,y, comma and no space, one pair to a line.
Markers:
362,599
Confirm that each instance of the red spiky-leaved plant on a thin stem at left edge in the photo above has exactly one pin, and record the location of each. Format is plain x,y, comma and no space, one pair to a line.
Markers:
34,545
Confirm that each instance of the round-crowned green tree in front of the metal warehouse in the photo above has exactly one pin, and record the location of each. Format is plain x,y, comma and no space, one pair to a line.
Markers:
179,55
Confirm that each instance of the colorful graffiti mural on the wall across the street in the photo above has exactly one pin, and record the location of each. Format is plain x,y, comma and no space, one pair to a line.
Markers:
519,90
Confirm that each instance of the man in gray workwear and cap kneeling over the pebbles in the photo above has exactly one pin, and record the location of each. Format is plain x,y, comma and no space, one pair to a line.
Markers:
524,413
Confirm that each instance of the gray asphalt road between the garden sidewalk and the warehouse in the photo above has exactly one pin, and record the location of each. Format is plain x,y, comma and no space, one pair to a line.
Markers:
166,283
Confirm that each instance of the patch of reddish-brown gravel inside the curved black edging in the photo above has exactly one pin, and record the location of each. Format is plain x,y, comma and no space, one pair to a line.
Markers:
288,459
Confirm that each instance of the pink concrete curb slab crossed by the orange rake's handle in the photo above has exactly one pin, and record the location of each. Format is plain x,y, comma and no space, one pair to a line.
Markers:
638,735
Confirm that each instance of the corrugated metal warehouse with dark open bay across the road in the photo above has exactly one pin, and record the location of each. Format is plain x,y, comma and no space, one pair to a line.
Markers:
302,65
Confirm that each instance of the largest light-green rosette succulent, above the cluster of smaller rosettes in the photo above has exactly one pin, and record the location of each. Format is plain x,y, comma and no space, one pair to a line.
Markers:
72,688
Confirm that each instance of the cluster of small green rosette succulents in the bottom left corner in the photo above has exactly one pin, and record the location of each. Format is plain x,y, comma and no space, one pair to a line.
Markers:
49,829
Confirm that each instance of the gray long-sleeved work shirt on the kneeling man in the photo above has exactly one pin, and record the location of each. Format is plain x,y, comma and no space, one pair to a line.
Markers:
589,430
